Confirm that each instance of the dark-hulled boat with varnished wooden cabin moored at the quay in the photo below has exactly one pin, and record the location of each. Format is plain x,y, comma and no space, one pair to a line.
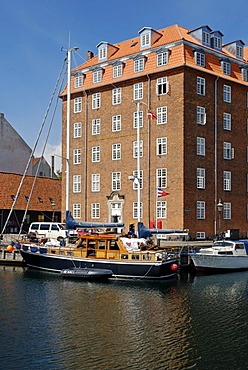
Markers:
126,257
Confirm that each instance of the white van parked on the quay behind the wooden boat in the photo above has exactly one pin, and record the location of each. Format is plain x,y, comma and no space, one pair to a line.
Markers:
51,230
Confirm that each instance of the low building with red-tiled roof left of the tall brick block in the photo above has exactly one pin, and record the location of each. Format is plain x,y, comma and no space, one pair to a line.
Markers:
44,204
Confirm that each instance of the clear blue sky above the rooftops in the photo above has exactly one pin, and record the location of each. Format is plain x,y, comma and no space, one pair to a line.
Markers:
32,34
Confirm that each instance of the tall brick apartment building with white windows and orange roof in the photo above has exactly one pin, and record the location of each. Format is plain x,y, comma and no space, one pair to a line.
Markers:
195,149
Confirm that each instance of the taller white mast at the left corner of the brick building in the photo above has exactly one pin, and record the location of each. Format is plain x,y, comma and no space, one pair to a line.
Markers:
67,186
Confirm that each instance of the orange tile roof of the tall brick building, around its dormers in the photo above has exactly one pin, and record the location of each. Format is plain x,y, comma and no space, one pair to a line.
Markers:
180,54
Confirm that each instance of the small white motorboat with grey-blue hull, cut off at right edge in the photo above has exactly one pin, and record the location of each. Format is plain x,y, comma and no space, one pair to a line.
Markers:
223,256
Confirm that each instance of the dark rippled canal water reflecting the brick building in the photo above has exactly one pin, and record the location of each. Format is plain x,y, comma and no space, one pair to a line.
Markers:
196,322
